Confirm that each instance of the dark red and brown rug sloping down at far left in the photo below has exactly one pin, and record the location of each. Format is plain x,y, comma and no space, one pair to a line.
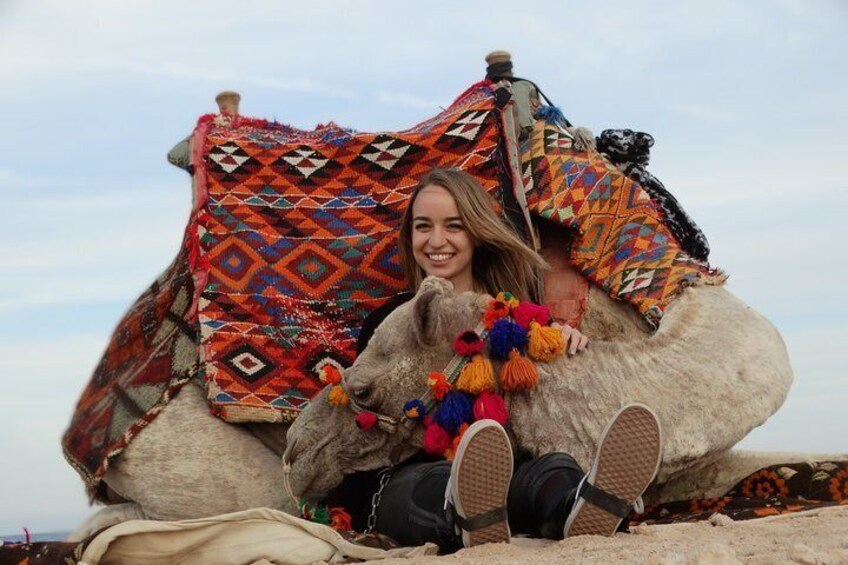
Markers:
152,353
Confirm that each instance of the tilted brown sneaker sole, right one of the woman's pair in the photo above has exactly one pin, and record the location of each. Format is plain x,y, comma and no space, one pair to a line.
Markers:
627,461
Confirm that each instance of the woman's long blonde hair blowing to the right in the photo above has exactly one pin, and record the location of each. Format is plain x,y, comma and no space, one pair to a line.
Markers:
501,262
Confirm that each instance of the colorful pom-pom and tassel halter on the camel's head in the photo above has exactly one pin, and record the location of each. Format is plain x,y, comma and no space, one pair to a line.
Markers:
468,388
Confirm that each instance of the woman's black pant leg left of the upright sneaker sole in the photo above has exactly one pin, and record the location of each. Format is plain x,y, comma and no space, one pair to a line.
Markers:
412,509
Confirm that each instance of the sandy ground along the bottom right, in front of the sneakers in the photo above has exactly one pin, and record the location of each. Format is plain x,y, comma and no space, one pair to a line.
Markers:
815,537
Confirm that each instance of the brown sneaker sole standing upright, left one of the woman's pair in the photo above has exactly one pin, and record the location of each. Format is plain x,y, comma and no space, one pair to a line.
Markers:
481,479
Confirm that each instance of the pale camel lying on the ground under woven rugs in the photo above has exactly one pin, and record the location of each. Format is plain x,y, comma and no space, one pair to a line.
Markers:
713,370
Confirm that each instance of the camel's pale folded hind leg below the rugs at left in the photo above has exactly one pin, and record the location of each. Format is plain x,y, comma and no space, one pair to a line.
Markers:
188,464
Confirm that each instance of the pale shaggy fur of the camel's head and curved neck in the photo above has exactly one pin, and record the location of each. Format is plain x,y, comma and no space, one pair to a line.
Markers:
714,370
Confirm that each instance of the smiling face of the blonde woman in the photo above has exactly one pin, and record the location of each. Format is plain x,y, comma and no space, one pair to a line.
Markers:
440,244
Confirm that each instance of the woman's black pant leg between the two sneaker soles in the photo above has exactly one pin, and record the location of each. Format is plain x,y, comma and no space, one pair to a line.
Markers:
542,493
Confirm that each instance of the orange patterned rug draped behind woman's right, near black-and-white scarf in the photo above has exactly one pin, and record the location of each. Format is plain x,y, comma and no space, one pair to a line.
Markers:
620,241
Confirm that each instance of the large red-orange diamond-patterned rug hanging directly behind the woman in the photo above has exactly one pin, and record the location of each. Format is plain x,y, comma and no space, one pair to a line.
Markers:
297,235
